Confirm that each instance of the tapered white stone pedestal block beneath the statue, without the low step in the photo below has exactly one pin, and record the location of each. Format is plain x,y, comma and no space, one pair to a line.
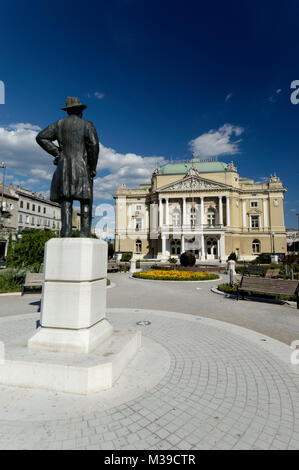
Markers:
74,296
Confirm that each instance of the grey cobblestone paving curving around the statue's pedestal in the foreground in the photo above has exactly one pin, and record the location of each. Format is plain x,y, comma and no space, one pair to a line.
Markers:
225,388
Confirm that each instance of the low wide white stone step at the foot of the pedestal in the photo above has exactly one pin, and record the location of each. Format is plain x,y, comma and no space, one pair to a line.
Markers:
70,372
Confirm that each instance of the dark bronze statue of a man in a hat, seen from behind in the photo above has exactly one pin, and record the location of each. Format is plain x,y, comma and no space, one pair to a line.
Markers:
76,158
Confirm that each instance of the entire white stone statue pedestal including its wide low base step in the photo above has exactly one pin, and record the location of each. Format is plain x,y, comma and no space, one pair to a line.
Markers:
75,350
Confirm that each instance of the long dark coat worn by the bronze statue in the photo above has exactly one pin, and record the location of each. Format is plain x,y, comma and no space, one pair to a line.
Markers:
77,157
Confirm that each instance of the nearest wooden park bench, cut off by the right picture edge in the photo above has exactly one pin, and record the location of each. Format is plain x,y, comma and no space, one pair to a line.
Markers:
268,286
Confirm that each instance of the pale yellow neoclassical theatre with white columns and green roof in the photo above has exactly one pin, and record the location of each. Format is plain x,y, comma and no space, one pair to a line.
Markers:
202,206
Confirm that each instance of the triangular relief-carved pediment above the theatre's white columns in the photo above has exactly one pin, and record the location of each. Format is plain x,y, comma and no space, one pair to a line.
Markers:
192,181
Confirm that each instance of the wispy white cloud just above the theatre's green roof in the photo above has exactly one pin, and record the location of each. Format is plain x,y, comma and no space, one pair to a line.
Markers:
217,142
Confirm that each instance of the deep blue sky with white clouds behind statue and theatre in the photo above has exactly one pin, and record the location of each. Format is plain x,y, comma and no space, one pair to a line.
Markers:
155,75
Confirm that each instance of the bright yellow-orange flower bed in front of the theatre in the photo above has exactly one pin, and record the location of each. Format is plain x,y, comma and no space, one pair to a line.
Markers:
160,275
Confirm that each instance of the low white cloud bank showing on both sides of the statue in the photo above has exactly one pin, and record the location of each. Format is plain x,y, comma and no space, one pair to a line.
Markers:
33,168
